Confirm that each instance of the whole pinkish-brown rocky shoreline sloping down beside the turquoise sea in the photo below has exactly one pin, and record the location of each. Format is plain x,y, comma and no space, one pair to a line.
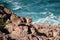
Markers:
13,27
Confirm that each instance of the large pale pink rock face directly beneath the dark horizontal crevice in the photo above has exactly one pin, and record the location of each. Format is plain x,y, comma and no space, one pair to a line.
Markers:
19,31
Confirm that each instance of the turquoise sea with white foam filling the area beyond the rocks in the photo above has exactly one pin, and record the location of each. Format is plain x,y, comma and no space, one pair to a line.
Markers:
41,11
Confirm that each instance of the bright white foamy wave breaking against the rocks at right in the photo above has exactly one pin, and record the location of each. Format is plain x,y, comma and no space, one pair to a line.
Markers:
51,19
